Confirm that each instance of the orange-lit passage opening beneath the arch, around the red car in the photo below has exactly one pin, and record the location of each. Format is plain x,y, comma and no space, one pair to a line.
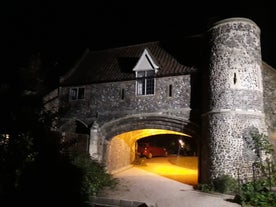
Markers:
181,164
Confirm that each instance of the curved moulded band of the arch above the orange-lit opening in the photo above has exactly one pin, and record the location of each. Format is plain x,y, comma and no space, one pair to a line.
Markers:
149,121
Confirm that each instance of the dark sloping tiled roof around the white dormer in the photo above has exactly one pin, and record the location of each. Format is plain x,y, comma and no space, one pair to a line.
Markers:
117,64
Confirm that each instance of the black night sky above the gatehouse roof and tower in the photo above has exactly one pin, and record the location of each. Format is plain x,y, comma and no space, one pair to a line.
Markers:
63,30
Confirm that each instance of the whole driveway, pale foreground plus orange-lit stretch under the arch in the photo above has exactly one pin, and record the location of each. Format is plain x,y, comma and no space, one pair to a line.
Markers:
162,182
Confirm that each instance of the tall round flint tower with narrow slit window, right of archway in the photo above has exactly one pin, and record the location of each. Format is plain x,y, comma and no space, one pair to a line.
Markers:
233,99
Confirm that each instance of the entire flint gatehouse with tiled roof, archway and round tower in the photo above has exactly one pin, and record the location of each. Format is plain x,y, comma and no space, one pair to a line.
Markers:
114,97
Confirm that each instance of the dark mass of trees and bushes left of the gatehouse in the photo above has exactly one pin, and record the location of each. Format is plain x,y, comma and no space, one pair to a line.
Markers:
33,168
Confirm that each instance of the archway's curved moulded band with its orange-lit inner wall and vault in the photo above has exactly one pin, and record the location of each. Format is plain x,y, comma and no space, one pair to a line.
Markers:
120,136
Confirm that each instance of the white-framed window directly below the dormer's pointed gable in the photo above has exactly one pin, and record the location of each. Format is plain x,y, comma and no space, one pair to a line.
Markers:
145,82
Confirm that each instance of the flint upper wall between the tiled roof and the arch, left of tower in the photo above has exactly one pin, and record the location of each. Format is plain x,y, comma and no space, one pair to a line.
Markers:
103,102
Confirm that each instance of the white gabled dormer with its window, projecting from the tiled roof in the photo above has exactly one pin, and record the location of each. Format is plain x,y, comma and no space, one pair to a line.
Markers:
145,71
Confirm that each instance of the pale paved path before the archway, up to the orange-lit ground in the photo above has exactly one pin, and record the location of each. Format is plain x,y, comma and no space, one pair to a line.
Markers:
156,191
